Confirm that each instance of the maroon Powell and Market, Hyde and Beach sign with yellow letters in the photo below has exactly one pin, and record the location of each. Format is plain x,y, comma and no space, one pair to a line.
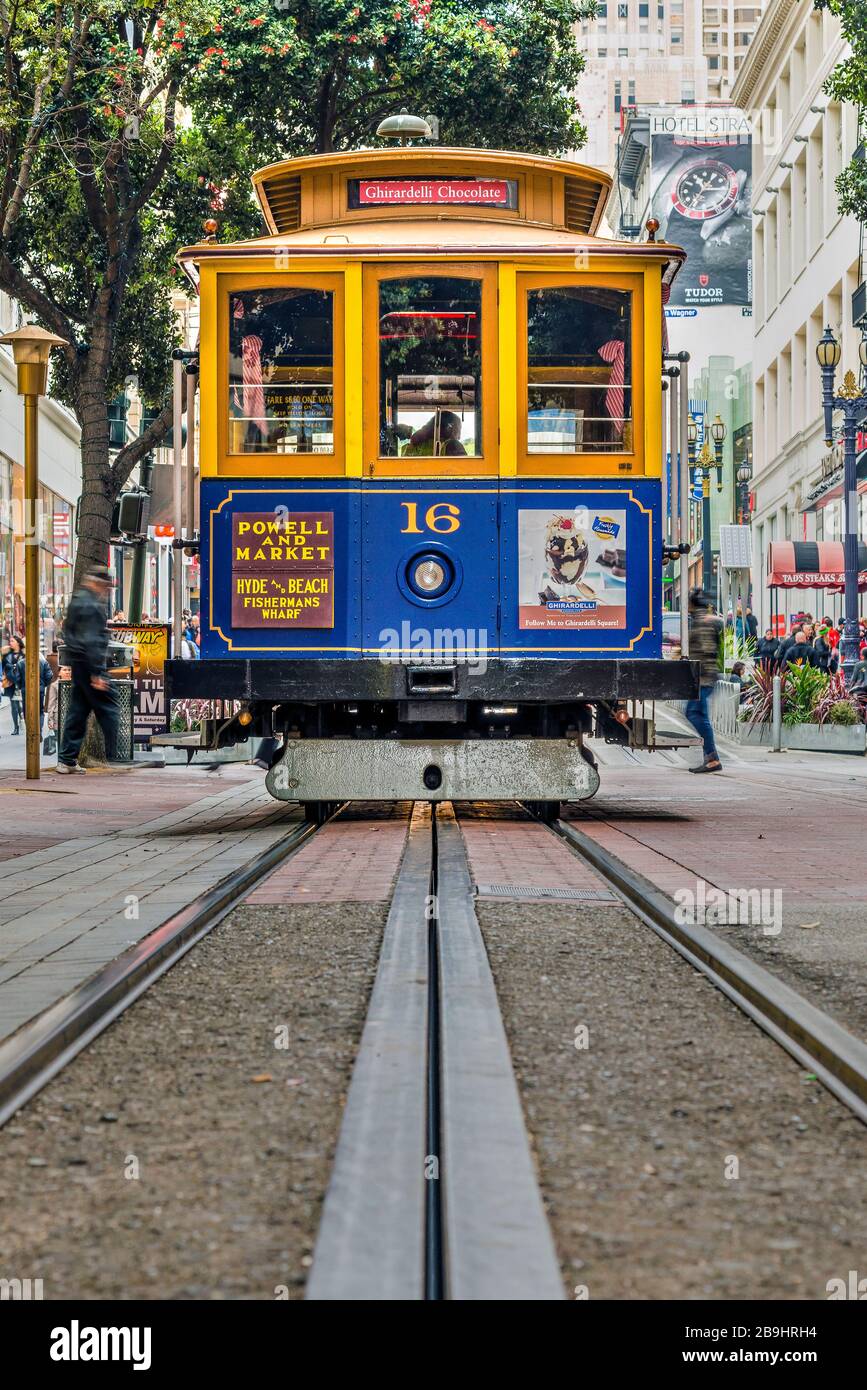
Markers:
283,569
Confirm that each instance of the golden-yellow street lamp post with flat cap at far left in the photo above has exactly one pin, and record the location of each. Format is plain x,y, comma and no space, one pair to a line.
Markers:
31,350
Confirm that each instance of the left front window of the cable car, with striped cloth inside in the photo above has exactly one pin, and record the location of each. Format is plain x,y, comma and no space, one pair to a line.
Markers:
281,372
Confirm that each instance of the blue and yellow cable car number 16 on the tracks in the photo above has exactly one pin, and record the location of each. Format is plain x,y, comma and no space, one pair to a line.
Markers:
431,479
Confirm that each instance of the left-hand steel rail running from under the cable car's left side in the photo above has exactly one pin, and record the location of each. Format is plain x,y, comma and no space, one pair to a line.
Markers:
44,1046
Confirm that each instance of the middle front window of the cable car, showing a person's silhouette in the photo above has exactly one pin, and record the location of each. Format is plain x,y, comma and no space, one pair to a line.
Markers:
430,368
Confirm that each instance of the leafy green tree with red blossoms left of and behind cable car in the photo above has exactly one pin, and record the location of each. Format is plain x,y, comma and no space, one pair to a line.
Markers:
126,124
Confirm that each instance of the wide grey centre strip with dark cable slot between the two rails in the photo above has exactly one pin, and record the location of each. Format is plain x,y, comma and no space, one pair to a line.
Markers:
434,1195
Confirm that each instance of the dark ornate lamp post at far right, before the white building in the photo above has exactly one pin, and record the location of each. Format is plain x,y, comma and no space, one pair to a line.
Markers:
852,402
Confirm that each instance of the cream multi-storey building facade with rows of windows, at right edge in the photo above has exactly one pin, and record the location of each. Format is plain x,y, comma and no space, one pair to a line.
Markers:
808,268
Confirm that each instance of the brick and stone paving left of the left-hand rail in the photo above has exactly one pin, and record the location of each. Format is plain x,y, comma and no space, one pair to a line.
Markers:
92,865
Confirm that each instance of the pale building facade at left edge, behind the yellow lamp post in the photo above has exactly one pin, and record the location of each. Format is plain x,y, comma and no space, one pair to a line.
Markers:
59,491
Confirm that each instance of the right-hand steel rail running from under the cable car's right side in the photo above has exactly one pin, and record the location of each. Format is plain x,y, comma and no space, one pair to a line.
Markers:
812,1038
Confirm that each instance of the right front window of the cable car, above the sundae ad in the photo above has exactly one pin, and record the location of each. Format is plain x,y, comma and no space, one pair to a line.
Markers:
579,370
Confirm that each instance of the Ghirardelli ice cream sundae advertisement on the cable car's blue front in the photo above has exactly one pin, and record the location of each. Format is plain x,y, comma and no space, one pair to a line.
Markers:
573,569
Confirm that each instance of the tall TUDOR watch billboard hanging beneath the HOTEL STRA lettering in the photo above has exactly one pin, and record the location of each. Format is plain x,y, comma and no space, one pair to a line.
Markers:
701,187
